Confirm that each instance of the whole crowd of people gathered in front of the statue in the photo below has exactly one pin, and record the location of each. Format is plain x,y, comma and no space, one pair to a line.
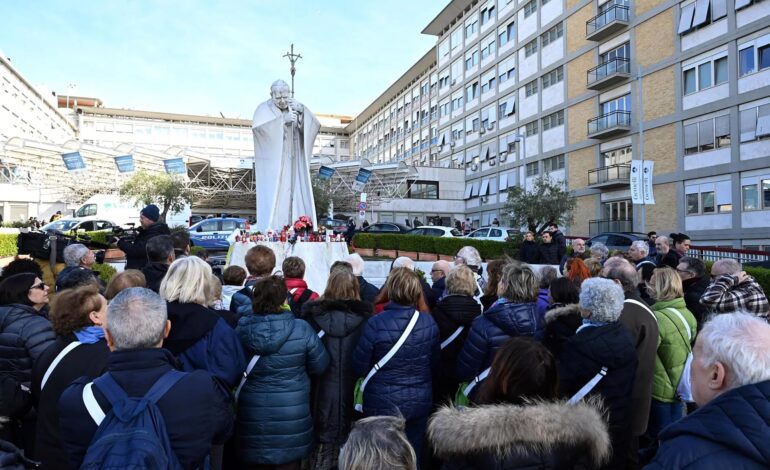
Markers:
510,365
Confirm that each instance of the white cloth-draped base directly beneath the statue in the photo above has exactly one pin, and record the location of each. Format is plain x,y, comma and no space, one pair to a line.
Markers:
318,258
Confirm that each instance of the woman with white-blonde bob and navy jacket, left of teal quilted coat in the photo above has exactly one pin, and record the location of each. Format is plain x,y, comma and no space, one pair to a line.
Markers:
200,338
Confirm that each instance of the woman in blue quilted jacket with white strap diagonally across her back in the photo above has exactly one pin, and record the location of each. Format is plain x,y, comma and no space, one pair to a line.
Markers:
403,386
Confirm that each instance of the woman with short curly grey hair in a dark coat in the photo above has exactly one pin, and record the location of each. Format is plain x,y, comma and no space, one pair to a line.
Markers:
603,345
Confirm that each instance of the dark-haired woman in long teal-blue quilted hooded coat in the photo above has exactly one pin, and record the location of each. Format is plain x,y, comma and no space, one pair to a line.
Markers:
274,422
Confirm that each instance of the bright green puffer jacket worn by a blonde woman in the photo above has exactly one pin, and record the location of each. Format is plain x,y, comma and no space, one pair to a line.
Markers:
673,347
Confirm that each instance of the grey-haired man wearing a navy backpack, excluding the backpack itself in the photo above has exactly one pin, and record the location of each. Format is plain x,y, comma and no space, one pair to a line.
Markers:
195,412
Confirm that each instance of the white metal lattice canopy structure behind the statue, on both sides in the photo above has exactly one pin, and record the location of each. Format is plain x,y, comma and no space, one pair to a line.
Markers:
224,183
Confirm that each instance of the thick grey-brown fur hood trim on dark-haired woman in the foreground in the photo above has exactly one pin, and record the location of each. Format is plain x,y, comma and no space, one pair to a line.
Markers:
504,430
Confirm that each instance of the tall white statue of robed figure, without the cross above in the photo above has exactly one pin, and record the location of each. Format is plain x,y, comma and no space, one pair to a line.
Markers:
284,131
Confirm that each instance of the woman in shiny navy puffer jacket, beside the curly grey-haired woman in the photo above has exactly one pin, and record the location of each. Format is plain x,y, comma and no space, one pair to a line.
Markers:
513,314
